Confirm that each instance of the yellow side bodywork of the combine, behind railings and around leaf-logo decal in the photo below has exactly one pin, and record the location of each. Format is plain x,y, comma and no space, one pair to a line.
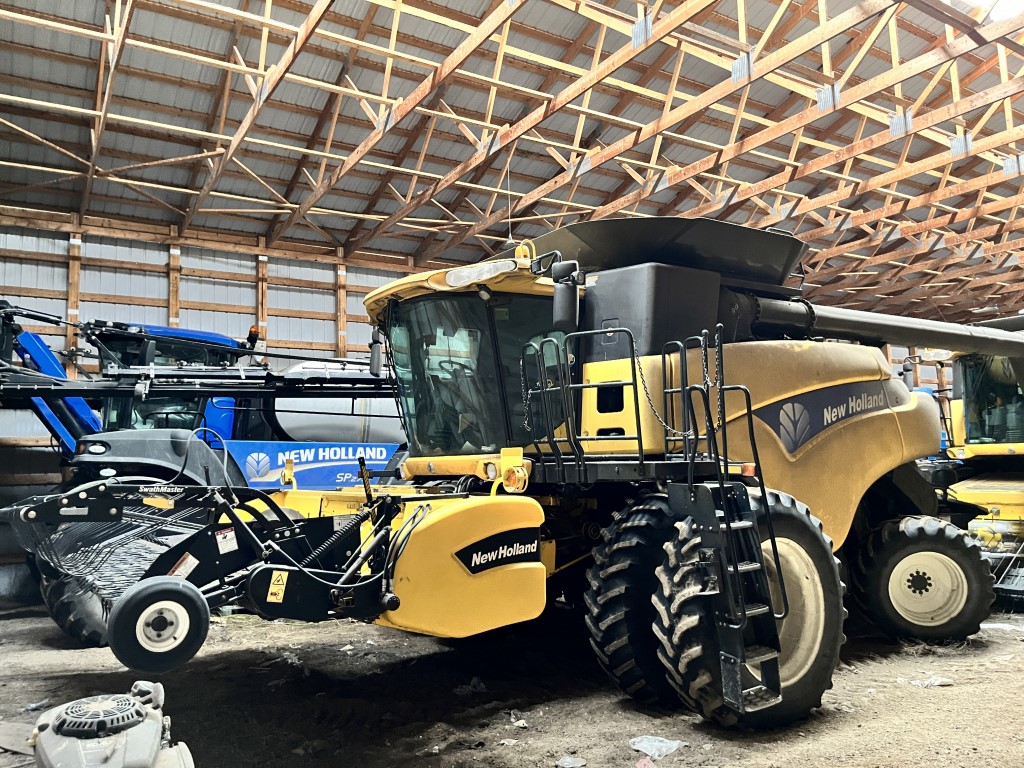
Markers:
833,471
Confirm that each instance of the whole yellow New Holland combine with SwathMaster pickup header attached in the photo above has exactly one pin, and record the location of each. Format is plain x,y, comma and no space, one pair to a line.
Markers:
576,434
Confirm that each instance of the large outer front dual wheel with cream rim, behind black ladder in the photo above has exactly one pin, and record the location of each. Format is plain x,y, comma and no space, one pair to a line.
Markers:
812,634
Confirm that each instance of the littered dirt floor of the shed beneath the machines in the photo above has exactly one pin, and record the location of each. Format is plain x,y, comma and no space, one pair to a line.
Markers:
287,695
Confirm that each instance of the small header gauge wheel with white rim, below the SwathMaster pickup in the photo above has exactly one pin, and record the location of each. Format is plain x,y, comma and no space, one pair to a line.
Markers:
159,625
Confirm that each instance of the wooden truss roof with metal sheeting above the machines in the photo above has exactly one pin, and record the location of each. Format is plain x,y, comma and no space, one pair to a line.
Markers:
887,136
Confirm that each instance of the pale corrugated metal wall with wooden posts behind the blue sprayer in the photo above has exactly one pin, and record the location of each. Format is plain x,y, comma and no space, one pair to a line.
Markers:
131,281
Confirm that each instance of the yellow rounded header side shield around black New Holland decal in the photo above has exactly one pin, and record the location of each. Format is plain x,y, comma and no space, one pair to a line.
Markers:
440,596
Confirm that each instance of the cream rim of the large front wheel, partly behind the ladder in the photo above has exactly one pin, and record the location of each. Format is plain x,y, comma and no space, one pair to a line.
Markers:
803,629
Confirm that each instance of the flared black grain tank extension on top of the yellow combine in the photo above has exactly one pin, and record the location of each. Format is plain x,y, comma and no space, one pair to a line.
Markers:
733,250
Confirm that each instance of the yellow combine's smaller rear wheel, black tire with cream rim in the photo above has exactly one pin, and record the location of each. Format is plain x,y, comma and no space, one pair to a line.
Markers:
926,580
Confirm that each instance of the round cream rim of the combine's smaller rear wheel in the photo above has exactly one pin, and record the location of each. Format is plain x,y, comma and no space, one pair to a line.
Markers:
928,588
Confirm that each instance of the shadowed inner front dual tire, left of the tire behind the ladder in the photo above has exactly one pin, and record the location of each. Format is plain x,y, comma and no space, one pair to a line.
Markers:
620,613
